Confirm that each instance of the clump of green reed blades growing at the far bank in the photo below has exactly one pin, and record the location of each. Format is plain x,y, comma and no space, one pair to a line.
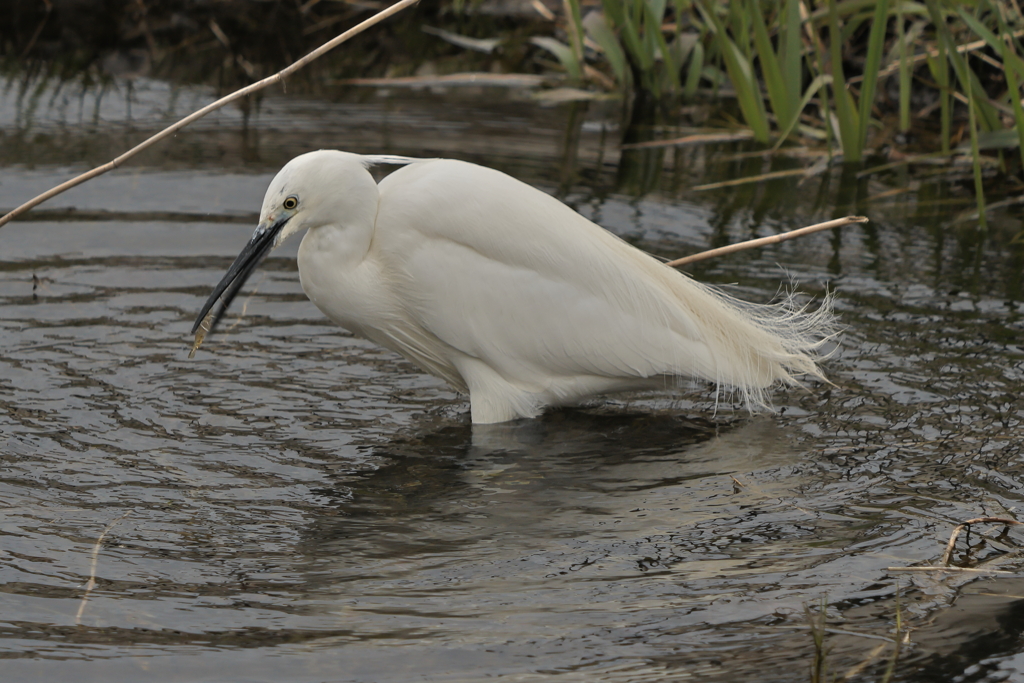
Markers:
818,70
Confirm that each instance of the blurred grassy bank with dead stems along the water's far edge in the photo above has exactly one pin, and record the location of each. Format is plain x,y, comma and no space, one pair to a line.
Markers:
857,77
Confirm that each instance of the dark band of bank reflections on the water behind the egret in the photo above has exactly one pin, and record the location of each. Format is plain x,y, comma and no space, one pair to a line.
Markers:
574,152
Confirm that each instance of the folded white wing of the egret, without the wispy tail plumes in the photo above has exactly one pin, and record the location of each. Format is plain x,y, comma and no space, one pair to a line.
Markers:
507,275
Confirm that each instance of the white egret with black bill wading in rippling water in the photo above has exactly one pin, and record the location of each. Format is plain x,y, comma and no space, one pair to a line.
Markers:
506,293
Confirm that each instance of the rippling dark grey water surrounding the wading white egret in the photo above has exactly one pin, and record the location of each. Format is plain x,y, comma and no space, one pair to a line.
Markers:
295,504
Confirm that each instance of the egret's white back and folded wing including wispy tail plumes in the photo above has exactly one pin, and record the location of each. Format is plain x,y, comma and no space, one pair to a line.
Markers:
507,277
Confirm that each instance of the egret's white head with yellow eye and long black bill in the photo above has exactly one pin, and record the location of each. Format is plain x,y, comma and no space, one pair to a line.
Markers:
314,190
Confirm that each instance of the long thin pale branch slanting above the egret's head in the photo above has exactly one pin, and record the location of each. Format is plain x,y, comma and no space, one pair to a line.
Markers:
238,95
